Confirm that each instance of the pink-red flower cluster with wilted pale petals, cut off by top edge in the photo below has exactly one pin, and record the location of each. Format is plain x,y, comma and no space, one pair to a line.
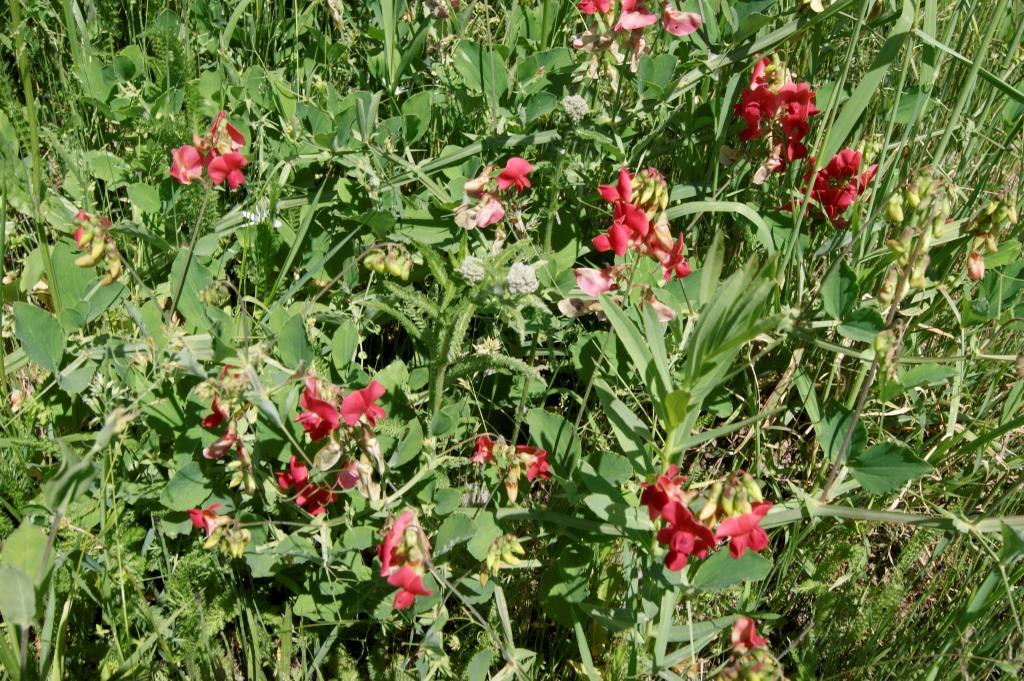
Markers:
622,32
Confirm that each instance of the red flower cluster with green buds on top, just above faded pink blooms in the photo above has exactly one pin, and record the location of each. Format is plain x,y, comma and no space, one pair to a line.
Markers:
639,222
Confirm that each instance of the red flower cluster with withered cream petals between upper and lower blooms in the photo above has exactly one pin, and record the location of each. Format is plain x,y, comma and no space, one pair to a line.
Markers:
323,418
